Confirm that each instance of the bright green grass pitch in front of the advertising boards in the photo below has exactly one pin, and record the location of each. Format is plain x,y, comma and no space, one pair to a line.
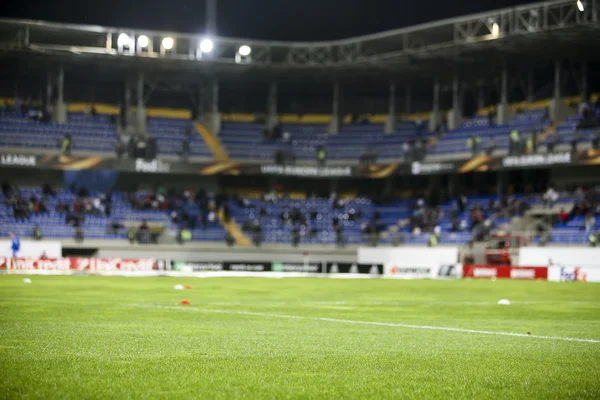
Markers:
80,337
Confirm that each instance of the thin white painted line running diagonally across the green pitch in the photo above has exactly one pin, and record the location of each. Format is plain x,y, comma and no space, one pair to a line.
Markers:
348,321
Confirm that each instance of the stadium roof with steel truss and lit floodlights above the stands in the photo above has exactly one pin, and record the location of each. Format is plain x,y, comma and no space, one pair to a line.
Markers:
525,34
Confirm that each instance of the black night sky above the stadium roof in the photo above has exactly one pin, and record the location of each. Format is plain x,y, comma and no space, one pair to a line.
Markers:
259,19
